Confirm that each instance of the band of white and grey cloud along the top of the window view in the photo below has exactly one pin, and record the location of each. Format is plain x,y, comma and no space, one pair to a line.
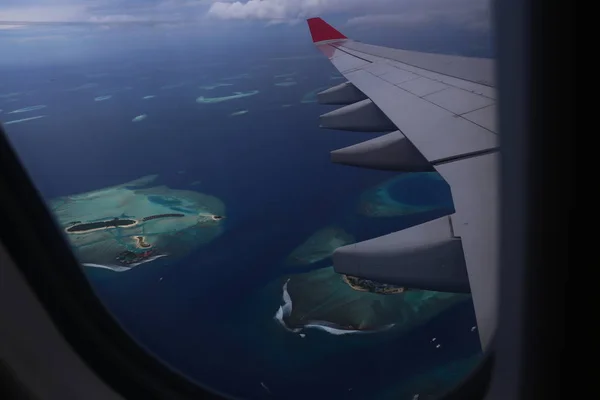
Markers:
470,14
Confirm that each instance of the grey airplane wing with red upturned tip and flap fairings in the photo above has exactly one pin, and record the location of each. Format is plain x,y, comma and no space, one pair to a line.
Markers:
439,114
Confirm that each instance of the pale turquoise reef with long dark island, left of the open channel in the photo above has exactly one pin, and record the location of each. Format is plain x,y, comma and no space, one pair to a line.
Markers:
133,223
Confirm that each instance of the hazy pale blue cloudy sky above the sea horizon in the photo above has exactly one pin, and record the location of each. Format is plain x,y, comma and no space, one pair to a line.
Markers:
55,31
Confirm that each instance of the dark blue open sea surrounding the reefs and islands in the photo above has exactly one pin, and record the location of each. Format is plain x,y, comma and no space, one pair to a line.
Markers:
210,316
